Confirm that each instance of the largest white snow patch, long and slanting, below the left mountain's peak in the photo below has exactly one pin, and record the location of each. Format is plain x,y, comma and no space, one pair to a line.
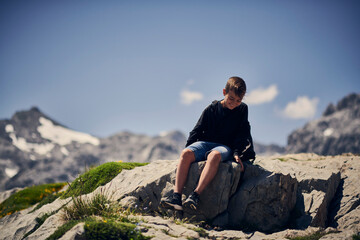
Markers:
63,136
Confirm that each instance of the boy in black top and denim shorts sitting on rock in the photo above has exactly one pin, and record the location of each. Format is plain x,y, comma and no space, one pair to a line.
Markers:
222,133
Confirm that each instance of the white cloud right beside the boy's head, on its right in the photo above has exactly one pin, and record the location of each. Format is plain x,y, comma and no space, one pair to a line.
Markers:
261,95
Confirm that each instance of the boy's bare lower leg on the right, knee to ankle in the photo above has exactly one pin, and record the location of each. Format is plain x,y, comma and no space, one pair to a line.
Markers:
209,172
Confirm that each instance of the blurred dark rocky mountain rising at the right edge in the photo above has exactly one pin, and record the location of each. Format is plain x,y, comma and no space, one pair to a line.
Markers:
336,132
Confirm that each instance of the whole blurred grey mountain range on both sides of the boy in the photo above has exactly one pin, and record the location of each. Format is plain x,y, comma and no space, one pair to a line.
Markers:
36,149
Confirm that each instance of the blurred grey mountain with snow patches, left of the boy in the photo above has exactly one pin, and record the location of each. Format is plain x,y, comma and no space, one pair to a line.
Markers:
35,149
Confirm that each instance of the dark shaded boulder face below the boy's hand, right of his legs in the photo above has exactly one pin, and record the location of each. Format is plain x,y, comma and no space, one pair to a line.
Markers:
264,200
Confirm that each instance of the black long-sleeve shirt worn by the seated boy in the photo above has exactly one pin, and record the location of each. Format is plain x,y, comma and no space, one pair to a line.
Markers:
228,127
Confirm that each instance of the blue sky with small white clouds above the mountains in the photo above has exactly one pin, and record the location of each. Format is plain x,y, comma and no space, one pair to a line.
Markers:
102,67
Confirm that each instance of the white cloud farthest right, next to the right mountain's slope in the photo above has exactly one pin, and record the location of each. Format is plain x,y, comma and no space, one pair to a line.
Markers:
303,107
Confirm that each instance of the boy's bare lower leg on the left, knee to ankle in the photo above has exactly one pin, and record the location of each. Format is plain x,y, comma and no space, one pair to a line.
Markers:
186,158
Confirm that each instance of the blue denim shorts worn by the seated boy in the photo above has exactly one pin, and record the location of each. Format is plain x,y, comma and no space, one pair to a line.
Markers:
202,149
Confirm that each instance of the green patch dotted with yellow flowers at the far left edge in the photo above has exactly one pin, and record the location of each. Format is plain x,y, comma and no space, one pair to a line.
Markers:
28,197
